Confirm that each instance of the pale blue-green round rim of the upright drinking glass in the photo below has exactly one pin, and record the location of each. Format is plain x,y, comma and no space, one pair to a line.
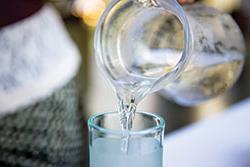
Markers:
161,125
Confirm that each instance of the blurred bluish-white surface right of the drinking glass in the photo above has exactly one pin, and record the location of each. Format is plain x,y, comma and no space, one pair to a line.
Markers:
222,141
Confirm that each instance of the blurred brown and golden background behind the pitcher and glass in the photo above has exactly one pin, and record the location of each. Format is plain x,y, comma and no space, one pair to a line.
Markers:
81,17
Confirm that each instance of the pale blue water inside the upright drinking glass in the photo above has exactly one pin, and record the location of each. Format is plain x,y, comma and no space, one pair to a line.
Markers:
142,152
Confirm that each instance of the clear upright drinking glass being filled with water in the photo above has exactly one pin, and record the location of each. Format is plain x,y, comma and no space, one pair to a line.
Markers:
144,142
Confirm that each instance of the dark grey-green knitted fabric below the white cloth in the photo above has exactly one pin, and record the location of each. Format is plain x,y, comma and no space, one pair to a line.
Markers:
46,134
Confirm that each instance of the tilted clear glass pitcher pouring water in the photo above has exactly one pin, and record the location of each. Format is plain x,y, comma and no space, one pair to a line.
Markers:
193,52
